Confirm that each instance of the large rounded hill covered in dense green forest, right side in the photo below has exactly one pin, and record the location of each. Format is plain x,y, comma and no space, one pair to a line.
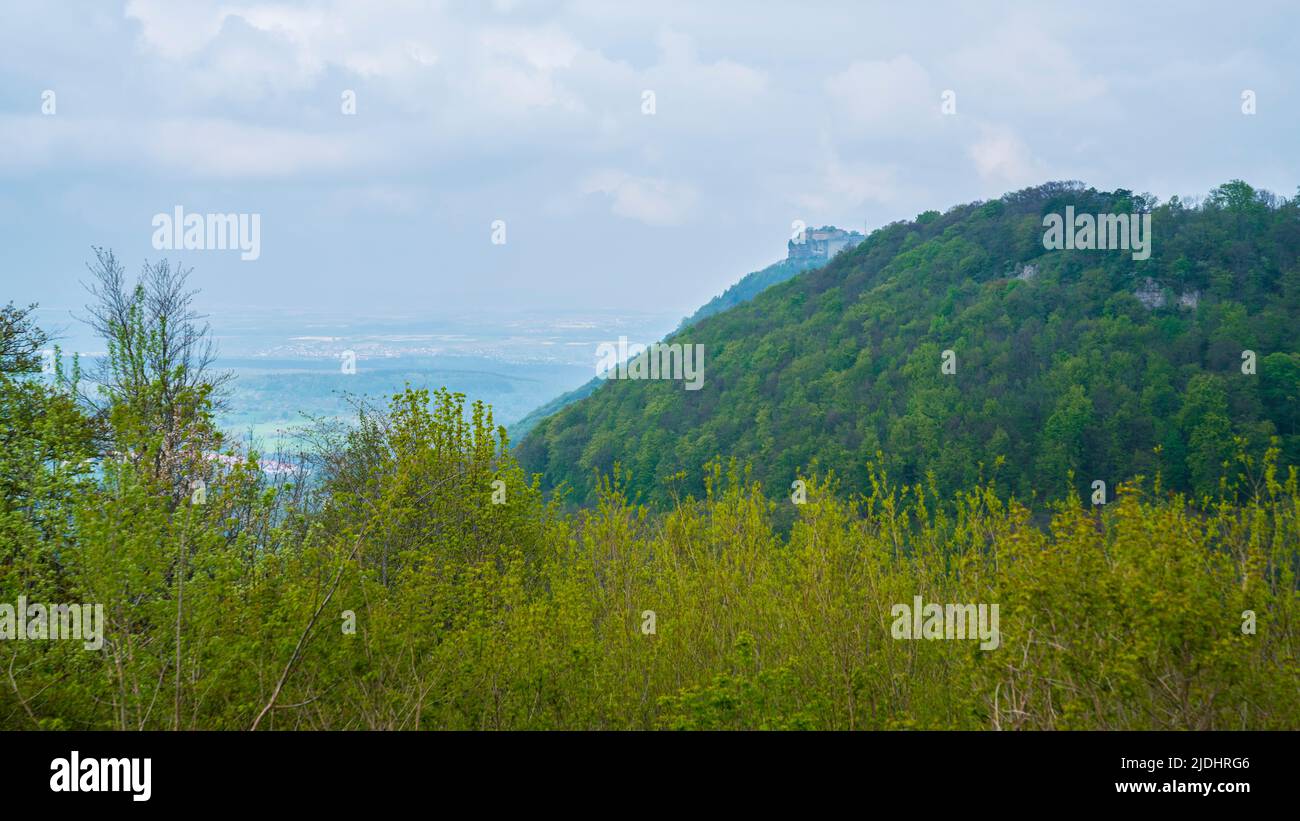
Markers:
1065,360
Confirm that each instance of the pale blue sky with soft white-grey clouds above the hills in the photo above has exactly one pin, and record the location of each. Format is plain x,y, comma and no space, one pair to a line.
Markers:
535,114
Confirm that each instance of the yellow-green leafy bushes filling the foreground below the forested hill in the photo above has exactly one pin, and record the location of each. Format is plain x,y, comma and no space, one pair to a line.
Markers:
473,615
